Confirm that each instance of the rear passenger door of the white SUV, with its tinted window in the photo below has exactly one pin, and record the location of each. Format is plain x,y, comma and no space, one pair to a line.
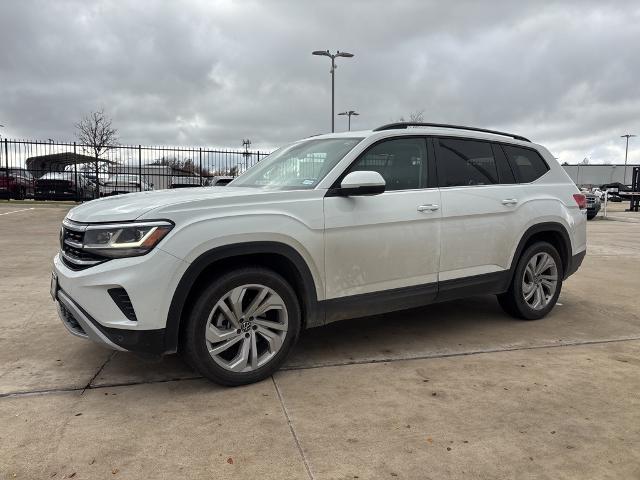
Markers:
479,204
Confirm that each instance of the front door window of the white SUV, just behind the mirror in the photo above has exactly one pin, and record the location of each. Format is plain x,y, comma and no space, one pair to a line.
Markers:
402,162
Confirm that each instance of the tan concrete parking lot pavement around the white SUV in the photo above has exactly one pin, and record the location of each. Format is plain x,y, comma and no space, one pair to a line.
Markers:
448,391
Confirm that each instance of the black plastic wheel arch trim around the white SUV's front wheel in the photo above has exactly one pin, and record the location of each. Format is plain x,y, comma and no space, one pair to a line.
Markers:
279,257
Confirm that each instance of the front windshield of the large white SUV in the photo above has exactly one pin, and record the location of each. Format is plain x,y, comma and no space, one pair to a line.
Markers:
297,166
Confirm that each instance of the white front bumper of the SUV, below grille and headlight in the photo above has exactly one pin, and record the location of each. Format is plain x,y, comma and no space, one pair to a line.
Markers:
89,311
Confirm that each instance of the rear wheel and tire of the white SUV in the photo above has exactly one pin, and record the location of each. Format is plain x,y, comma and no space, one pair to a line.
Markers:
514,300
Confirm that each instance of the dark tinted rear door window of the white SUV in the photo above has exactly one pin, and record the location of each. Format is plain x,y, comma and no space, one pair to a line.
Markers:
465,162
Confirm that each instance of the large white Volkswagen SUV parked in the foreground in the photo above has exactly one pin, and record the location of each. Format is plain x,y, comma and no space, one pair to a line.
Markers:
327,228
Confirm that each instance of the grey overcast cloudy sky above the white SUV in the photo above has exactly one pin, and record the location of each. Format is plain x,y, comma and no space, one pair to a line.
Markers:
210,73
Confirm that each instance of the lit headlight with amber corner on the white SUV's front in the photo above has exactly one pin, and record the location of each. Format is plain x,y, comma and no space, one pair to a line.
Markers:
124,240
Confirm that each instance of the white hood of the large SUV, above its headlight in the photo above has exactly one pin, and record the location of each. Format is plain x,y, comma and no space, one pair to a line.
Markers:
131,206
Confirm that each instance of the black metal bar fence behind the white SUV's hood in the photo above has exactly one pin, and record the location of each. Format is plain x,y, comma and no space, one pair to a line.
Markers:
56,171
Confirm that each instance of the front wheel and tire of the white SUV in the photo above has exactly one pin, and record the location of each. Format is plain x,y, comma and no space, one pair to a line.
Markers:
232,340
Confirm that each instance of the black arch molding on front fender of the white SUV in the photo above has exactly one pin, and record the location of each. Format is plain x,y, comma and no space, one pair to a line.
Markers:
313,310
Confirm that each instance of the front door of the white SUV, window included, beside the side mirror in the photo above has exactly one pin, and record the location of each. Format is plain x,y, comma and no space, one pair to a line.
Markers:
387,241
